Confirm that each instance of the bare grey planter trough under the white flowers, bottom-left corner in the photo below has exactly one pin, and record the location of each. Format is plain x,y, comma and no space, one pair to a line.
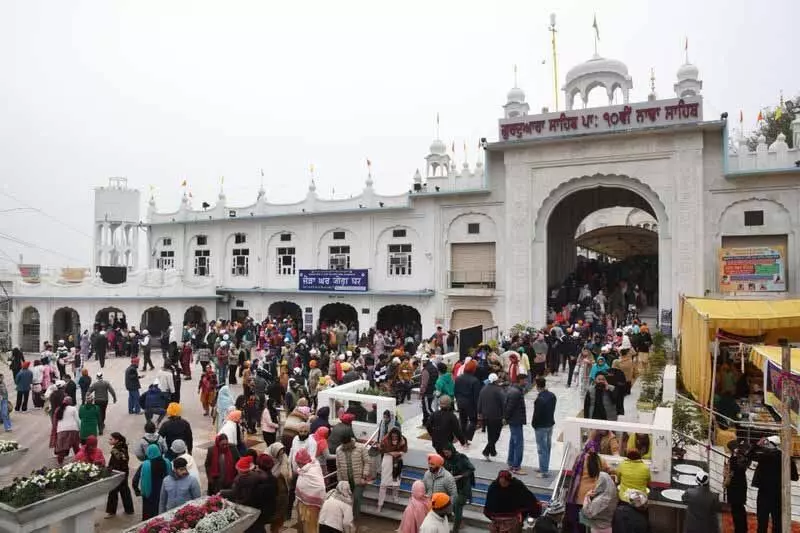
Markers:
72,510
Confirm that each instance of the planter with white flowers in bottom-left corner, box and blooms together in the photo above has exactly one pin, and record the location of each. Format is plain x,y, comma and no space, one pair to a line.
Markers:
66,495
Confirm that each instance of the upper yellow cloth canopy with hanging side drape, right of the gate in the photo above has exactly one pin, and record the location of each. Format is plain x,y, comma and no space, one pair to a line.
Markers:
701,318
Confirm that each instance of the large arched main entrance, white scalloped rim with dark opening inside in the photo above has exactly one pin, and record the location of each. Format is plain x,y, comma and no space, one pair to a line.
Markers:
555,245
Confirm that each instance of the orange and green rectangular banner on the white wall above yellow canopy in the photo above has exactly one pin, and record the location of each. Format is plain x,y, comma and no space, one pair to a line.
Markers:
756,269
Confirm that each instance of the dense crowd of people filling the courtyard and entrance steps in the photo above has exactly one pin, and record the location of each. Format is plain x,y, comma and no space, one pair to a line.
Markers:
312,465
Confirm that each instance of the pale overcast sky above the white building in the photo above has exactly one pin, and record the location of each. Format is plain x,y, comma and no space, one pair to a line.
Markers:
161,91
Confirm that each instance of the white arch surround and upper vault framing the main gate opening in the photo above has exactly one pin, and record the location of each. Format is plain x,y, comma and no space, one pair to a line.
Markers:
570,202
